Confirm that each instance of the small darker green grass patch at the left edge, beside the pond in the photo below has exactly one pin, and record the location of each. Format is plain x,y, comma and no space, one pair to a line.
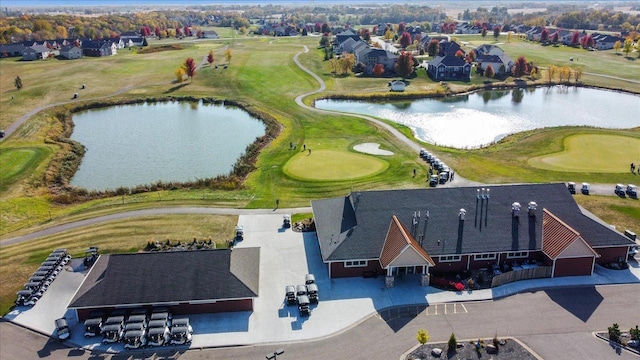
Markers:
17,162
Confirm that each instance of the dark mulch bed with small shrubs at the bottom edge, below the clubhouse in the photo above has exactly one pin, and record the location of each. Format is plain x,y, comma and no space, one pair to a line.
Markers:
510,350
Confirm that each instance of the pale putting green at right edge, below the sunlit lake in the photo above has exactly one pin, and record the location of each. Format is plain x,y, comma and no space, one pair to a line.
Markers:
592,153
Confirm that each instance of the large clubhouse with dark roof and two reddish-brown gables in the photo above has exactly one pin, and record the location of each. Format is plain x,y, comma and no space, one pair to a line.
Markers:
450,230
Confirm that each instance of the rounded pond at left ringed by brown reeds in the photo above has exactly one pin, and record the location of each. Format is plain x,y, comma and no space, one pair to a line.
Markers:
130,145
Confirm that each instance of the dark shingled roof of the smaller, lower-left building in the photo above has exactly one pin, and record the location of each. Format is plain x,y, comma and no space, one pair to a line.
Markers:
169,277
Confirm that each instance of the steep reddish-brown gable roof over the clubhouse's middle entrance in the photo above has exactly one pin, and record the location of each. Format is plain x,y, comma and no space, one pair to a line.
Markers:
397,241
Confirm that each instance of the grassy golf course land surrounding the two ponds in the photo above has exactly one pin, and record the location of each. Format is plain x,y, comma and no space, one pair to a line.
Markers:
263,78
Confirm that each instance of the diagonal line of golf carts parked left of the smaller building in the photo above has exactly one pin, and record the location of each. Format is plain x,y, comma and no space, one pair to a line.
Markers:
42,278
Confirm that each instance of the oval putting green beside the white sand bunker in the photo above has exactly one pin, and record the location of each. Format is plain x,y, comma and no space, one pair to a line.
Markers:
333,165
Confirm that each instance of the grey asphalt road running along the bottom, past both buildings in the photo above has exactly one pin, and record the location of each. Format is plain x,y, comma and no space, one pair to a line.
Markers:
556,324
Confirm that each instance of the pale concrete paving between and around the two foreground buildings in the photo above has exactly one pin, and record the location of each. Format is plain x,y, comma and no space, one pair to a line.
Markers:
285,258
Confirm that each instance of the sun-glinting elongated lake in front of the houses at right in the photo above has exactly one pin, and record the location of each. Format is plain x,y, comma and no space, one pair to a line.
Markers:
482,118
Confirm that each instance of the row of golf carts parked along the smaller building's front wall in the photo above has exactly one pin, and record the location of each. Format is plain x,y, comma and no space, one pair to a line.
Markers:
139,327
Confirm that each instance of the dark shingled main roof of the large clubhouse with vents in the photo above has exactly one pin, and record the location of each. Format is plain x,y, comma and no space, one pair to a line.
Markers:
355,226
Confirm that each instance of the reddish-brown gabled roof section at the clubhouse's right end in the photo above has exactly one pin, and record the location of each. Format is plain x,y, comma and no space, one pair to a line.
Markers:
558,237
